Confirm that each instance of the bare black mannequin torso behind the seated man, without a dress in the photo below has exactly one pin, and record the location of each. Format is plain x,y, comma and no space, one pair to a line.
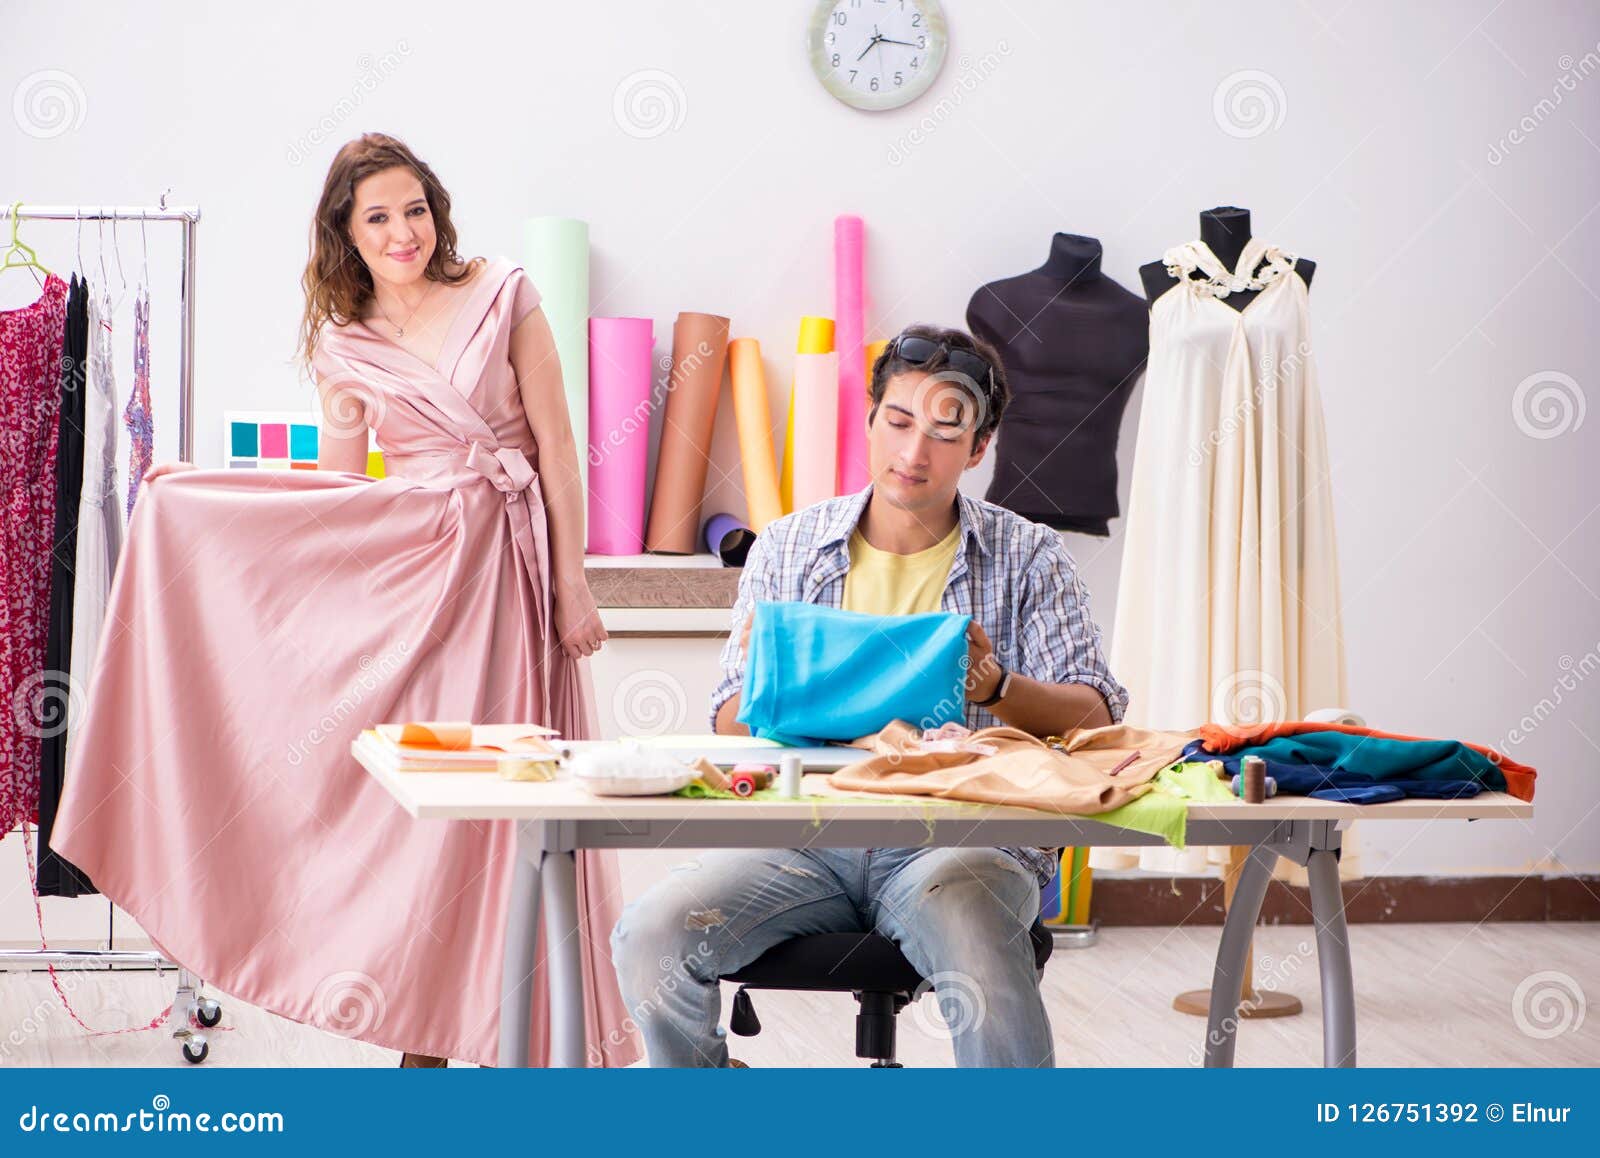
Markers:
1073,343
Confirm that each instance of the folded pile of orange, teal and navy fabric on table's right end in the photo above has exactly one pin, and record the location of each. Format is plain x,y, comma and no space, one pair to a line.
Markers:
1362,765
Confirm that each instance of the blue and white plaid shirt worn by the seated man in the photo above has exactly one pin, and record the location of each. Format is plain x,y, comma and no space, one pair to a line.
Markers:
1012,575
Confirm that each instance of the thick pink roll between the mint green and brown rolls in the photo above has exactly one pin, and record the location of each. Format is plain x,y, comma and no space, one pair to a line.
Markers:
620,375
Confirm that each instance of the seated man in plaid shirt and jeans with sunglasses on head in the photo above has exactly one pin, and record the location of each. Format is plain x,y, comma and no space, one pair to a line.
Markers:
910,543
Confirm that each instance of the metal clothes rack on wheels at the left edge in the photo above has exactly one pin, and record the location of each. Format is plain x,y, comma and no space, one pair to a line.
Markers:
191,1012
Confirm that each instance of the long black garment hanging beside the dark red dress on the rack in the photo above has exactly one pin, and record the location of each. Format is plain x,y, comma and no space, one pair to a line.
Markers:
58,877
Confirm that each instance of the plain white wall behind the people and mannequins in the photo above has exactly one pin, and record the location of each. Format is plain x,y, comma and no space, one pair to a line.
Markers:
1471,556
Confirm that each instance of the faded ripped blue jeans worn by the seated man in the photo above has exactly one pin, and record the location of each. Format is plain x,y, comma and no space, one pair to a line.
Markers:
961,916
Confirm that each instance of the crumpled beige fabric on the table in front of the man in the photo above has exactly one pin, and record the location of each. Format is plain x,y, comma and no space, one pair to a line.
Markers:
1025,772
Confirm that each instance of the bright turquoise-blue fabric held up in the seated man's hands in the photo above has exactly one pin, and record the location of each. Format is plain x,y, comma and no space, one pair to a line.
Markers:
822,674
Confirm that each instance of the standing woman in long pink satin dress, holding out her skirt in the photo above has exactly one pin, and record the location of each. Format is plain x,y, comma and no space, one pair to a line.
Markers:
262,620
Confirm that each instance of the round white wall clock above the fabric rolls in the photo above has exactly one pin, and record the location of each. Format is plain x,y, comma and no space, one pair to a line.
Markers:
878,54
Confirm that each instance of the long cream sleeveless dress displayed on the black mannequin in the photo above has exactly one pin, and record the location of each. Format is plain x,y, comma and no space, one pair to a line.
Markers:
1230,601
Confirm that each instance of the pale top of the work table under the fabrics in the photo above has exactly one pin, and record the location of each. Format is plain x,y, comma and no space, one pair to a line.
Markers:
487,797
